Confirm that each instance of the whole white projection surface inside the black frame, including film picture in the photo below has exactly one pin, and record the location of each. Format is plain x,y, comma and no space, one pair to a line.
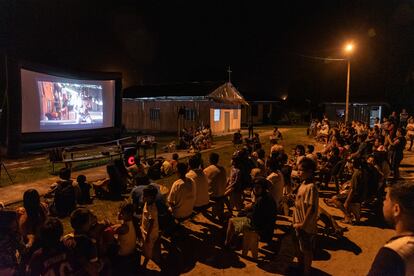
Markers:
51,103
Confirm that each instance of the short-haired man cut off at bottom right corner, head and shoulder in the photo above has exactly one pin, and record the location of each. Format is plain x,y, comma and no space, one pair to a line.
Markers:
396,257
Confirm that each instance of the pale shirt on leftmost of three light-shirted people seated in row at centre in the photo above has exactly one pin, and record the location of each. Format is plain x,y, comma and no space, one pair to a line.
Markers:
182,197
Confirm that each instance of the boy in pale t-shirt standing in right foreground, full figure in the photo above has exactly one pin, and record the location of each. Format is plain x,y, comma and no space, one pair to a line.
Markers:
305,214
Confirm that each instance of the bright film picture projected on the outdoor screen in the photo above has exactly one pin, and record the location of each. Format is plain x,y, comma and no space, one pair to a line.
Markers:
69,104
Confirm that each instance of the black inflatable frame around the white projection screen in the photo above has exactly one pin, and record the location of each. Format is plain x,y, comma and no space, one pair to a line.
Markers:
16,141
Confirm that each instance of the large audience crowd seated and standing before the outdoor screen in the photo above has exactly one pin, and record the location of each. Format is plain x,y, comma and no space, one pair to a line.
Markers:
357,162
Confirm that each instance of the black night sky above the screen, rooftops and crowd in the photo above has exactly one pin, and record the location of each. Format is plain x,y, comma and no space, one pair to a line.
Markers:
263,41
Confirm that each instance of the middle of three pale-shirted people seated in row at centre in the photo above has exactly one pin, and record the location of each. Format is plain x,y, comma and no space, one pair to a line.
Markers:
197,175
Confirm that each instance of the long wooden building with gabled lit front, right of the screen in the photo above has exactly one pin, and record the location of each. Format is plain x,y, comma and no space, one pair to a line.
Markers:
169,108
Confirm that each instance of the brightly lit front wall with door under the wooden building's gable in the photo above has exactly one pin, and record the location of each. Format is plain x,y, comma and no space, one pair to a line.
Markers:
234,120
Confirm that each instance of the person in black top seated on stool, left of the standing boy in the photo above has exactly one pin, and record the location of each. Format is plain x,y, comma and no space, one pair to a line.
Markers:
260,216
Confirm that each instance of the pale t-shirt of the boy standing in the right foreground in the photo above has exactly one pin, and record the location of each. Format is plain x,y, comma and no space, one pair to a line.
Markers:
306,197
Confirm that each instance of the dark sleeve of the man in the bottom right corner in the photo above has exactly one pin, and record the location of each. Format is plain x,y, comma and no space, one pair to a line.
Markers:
387,262
